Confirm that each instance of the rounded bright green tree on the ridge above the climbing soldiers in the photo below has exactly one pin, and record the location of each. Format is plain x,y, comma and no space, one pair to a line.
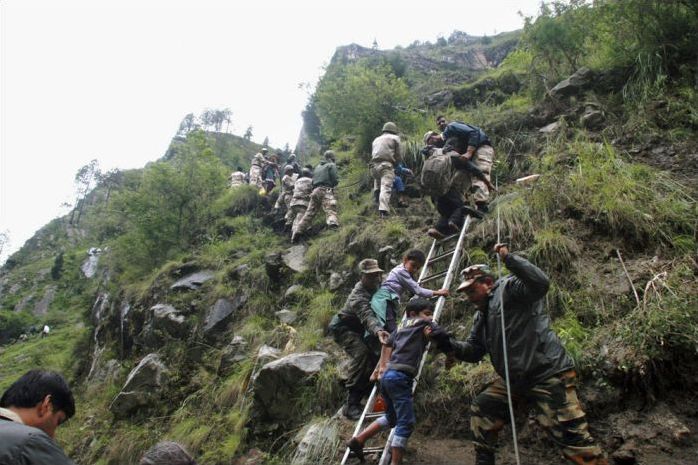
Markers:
359,98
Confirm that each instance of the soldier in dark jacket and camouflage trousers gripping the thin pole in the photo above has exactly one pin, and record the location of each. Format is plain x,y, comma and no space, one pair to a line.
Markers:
540,370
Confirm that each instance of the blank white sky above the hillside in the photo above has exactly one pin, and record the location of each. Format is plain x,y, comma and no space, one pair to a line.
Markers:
111,80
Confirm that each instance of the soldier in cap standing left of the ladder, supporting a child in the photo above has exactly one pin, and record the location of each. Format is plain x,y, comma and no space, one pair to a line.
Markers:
357,329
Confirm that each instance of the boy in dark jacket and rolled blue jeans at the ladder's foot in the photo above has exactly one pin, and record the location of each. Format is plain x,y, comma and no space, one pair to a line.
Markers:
408,342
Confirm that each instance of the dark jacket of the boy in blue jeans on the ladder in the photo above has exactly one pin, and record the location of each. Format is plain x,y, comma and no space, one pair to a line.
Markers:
409,342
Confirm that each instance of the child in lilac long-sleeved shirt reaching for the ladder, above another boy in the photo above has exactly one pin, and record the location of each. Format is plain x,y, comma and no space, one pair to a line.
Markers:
386,301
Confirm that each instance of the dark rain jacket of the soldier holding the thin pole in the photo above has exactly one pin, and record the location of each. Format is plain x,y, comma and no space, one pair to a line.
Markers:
535,352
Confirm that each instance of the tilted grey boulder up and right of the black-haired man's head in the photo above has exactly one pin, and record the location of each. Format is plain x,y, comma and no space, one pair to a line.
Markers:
142,386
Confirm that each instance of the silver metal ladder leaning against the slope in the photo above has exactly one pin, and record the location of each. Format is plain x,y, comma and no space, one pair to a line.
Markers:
438,253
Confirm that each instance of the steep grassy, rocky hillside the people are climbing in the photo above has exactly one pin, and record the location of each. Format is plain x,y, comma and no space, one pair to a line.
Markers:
203,324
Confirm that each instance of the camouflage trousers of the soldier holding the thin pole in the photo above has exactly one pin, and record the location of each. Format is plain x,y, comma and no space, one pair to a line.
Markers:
557,409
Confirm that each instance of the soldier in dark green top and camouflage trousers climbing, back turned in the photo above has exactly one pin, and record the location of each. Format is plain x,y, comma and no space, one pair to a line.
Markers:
324,180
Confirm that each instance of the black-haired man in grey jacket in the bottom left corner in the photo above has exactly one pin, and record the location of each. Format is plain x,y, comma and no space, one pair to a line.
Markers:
30,411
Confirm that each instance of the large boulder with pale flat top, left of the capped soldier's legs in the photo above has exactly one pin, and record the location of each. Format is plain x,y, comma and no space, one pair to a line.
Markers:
277,381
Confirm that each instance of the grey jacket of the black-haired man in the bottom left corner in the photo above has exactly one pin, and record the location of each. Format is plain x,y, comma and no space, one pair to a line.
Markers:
24,445
